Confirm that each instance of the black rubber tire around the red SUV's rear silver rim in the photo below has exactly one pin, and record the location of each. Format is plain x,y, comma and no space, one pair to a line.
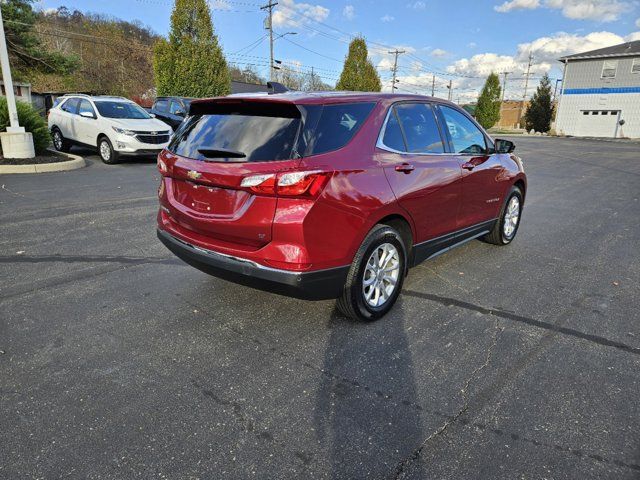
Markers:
353,303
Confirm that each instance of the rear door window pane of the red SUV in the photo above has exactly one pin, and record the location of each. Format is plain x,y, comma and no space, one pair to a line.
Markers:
420,128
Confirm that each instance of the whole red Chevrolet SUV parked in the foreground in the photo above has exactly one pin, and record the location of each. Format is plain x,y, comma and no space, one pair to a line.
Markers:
325,195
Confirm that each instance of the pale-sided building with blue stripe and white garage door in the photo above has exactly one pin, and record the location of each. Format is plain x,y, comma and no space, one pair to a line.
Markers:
601,93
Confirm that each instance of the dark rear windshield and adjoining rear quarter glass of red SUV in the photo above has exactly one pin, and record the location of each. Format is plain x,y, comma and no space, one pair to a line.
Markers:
254,132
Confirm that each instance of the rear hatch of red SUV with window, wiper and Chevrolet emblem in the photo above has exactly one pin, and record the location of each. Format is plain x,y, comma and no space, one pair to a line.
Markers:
220,144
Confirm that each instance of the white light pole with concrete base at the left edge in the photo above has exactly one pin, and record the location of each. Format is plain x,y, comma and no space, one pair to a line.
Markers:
16,143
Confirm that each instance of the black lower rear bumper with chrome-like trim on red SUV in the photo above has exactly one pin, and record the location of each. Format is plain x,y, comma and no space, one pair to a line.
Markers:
313,285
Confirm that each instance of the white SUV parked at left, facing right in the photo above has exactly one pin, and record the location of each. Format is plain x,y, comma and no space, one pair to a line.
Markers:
113,125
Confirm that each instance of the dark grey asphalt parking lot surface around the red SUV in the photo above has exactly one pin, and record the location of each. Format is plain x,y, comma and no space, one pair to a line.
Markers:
119,361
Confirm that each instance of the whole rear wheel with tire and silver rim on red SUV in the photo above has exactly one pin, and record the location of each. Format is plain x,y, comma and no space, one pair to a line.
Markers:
376,275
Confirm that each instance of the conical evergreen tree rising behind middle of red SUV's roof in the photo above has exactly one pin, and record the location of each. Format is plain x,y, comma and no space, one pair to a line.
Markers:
358,73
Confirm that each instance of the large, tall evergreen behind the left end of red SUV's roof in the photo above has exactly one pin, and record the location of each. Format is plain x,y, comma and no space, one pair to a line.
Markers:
190,63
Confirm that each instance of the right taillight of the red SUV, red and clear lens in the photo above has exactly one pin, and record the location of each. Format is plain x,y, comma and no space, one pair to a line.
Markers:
289,184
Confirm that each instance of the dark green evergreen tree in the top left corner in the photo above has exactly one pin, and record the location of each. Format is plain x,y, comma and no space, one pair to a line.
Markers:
26,52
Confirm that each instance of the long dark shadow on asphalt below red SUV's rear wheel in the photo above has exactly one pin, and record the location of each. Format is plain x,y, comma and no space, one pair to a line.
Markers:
367,370
